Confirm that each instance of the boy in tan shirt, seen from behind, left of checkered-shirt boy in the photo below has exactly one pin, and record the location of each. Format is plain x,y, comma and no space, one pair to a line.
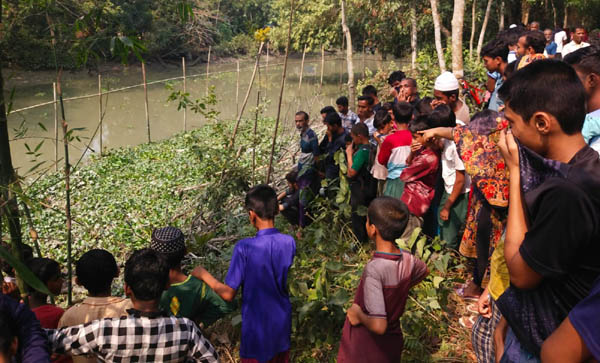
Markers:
95,271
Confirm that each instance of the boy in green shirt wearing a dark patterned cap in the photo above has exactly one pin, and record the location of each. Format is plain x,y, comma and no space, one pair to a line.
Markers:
187,296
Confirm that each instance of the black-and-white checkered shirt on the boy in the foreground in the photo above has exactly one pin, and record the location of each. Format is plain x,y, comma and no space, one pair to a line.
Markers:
136,337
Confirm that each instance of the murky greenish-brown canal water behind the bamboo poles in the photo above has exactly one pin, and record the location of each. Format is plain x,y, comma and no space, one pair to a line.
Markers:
124,120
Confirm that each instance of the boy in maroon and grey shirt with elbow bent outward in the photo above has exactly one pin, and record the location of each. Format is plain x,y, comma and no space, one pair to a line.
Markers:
372,331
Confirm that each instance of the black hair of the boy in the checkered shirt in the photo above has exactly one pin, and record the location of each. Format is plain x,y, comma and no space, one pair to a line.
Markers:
147,274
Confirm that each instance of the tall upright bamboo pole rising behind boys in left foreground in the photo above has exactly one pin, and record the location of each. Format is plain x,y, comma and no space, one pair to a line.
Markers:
65,128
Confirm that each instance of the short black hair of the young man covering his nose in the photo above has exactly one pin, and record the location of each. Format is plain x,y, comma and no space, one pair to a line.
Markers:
548,86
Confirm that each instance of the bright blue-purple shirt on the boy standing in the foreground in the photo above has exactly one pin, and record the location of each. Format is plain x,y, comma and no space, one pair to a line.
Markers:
260,265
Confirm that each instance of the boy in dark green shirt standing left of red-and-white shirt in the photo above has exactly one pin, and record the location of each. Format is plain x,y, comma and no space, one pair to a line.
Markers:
363,187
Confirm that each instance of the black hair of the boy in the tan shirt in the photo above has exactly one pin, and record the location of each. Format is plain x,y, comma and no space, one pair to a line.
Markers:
95,270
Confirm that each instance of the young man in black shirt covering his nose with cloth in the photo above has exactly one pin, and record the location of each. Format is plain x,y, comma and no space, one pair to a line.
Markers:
551,245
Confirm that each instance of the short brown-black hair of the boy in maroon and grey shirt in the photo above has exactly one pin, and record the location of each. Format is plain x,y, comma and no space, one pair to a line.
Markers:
390,217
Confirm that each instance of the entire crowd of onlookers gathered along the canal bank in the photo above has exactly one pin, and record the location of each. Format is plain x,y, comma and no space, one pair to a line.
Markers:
514,188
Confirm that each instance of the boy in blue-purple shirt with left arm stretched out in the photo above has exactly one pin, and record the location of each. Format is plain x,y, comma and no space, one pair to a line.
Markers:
260,264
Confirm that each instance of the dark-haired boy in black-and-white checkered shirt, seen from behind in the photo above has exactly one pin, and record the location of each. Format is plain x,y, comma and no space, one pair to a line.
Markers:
146,334
